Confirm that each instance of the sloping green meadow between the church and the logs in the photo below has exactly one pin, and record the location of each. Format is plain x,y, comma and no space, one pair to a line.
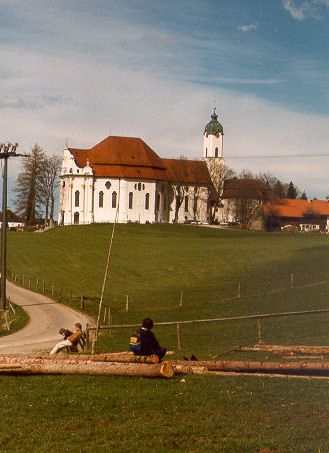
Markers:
153,264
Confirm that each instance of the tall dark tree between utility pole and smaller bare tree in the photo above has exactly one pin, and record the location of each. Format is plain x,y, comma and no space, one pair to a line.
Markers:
29,186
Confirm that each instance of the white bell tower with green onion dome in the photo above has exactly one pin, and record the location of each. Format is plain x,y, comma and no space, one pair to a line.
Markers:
213,139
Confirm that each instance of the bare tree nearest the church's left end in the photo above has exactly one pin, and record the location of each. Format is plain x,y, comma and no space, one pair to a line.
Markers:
50,184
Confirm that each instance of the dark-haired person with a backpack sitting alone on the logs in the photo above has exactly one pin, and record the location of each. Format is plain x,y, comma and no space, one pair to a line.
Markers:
144,343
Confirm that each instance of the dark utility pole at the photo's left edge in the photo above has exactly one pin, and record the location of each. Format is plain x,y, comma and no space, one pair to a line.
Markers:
6,150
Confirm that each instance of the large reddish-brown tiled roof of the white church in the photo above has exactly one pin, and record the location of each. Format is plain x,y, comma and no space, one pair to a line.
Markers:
128,157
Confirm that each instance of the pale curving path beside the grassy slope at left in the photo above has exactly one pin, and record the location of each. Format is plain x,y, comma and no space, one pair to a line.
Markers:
46,318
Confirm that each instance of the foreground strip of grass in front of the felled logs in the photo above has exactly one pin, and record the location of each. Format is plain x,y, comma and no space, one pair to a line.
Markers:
204,414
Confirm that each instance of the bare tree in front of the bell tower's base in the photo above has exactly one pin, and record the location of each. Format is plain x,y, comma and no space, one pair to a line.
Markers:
219,173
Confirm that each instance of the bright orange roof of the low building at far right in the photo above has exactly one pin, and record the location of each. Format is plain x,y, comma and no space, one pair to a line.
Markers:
296,208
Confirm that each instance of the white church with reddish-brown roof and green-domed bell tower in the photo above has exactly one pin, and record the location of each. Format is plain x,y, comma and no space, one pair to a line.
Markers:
123,179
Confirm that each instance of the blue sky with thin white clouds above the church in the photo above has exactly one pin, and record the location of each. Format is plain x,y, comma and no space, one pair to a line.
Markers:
75,71
